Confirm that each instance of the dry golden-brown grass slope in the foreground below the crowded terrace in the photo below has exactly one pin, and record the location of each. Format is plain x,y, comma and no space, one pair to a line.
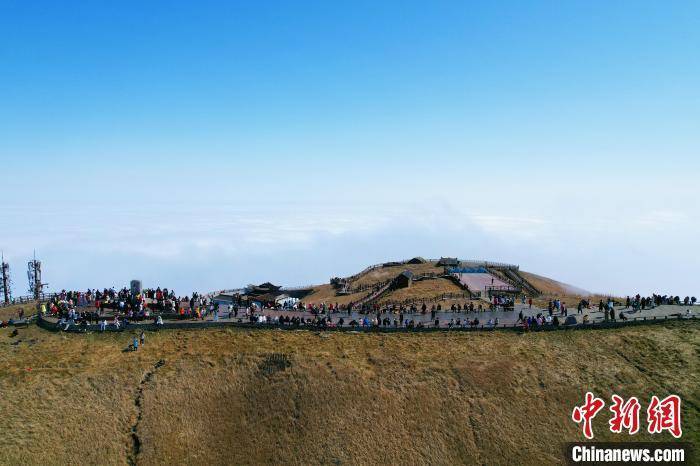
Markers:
438,398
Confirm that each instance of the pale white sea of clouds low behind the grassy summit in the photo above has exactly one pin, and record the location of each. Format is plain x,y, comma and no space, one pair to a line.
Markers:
223,246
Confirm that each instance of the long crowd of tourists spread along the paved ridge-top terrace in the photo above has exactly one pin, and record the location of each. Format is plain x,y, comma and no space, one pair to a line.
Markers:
111,309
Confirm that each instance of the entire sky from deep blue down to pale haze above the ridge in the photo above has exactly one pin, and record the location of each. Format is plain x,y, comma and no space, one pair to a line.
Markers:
205,145
